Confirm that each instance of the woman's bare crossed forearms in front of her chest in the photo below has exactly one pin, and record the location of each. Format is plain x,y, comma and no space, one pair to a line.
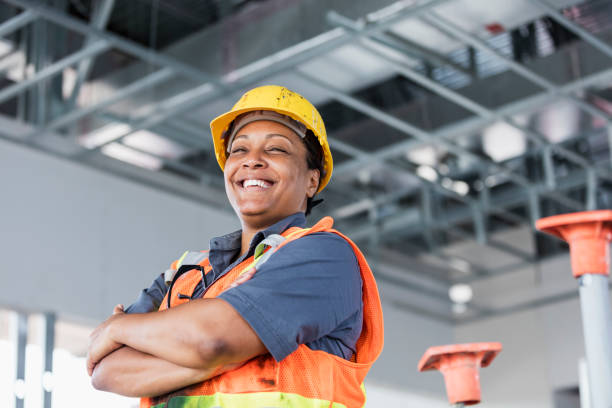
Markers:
154,353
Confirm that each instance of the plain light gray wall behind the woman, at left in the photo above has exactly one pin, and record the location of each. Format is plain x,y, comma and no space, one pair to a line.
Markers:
77,241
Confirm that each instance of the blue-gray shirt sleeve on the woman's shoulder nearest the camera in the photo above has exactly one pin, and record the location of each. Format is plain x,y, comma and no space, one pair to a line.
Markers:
305,291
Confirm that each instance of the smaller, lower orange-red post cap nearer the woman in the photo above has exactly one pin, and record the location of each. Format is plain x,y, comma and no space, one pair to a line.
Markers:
459,363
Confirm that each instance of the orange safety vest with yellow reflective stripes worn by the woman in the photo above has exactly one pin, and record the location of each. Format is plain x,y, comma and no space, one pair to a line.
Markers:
304,379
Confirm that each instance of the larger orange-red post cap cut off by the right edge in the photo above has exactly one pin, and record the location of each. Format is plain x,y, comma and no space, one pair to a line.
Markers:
588,234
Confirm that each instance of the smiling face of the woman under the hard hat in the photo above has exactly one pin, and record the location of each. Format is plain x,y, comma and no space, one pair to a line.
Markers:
266,175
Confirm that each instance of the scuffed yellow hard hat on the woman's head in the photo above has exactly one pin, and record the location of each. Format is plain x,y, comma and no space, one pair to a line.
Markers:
281,100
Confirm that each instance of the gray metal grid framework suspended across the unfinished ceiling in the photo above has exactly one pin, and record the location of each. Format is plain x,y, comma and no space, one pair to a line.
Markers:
375,36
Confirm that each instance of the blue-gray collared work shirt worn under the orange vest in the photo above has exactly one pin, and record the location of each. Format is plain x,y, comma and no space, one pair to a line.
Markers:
308,292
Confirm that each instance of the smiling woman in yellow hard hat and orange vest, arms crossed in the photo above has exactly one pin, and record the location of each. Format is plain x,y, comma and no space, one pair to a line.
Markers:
273,315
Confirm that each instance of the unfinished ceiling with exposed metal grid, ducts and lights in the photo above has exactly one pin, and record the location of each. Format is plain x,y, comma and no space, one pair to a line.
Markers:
454,124
